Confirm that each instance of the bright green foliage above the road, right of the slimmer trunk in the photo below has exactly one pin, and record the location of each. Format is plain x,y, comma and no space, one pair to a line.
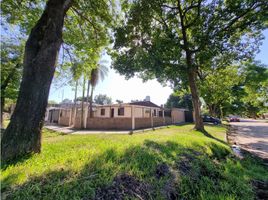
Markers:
239,89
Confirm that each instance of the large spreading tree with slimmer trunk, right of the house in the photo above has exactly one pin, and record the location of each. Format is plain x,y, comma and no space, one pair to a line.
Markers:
174,39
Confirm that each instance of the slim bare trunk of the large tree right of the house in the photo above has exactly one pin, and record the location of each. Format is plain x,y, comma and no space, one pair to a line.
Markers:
196,102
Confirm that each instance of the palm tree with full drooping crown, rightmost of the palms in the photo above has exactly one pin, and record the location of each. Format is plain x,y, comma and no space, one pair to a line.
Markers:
96,74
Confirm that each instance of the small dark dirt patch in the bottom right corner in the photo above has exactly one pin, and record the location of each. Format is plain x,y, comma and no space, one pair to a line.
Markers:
261,189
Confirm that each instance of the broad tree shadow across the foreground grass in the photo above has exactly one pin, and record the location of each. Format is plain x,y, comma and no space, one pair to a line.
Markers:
195,174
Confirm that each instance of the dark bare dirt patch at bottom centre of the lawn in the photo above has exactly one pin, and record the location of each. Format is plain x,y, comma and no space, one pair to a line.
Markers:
124,187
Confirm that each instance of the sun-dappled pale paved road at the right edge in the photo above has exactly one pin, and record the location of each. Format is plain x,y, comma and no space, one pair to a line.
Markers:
252,135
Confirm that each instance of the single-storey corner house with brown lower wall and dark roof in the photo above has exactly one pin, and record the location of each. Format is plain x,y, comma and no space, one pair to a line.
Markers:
125,116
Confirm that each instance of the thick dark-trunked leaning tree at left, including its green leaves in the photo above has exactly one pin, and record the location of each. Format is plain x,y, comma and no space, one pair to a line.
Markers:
86,21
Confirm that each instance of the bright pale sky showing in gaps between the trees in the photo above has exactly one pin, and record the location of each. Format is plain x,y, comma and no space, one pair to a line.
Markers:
116,87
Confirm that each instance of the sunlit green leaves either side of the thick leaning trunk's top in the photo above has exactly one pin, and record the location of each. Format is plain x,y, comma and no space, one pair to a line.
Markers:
85,35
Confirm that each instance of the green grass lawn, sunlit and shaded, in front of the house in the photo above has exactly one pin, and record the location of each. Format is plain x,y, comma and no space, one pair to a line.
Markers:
75,166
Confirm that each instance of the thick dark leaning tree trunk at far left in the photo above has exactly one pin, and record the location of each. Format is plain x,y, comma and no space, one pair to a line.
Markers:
23,134
